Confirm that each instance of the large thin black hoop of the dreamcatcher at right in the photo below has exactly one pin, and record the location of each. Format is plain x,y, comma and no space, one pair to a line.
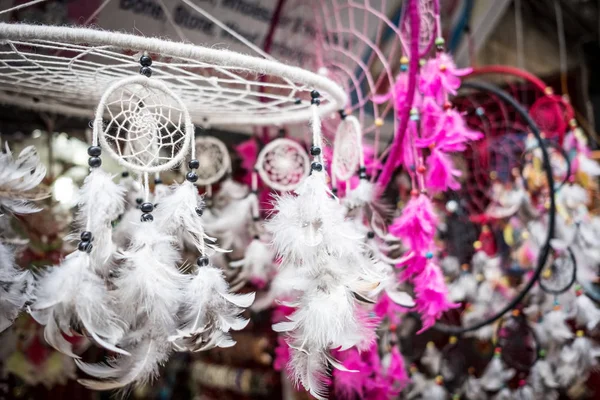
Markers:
545,248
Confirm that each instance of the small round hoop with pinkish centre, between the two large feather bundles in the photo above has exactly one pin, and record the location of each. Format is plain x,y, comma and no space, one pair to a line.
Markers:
282,164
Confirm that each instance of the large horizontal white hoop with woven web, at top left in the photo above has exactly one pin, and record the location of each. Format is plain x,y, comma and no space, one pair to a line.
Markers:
61,68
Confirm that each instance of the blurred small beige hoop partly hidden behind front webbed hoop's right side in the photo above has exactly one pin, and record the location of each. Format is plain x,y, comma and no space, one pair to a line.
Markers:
214,160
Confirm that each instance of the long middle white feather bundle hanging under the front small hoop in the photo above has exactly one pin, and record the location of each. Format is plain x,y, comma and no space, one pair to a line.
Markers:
149,289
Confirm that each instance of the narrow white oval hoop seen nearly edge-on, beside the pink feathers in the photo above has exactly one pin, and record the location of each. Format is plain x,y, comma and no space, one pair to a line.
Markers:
347,149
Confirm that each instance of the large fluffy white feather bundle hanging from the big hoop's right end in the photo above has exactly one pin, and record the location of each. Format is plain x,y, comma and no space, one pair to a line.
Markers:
312,236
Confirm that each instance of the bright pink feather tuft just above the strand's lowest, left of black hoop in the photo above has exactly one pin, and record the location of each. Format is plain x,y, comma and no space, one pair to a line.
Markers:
416,226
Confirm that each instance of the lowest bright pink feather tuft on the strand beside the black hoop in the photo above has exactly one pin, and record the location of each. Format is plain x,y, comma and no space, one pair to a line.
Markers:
431,295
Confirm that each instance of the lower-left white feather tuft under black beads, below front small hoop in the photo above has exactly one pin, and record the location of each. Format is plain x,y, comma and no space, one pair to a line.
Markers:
73,294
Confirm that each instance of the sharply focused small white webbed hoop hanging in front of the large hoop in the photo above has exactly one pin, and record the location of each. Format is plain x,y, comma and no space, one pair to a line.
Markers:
149,129
